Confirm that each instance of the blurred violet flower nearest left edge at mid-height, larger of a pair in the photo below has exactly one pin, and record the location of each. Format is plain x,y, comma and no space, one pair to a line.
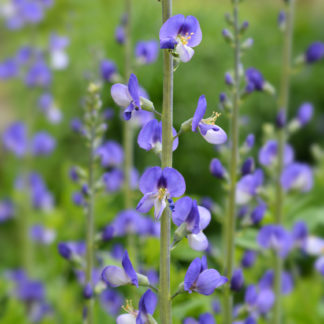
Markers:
15,138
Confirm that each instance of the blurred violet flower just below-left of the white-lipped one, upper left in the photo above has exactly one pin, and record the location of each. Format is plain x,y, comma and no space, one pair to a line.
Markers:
39,75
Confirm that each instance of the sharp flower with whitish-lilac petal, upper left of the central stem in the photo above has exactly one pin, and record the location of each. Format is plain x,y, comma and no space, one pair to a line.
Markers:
127,97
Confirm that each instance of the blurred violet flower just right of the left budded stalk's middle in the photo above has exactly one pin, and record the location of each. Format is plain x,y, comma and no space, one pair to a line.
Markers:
111,154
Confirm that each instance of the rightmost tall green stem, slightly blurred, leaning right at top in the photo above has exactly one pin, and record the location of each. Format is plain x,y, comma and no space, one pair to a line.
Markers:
282,106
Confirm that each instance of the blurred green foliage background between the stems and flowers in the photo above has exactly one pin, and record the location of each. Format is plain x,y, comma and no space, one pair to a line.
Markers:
90,25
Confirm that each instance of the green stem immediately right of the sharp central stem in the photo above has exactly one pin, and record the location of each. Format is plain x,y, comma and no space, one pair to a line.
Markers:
231,208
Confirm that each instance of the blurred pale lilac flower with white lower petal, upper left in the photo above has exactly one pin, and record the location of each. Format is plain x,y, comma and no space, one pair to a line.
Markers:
58,56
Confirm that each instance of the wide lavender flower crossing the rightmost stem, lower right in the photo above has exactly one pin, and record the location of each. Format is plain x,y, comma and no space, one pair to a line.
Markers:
275,237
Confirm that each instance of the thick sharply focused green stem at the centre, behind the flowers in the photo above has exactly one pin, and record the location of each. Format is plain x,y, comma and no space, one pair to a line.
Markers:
167,139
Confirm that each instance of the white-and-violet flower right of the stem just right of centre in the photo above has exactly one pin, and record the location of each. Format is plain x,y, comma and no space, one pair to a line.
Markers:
248,187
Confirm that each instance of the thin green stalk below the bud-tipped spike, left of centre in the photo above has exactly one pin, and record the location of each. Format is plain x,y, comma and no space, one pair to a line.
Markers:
90,225
